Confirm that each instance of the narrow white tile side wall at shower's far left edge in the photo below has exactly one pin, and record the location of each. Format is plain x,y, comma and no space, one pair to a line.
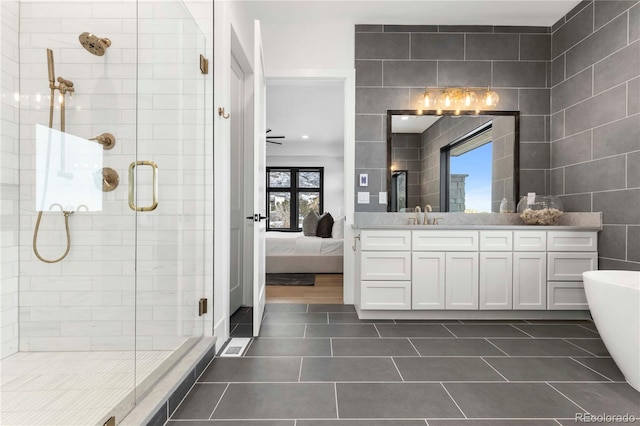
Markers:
9,177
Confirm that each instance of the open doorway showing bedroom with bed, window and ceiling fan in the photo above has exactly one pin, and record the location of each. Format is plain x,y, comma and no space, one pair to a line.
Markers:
305,177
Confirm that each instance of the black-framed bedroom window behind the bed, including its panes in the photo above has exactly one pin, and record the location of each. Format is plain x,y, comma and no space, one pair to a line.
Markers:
292,192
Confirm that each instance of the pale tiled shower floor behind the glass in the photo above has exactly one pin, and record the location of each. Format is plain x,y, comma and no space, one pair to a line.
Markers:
79,388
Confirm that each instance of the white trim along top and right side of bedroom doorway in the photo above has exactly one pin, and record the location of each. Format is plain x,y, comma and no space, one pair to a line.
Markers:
348,78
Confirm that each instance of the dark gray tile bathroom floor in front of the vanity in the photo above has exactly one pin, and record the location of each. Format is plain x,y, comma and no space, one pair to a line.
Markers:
318,365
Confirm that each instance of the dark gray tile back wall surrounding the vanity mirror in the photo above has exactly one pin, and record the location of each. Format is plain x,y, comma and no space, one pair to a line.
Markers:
394,64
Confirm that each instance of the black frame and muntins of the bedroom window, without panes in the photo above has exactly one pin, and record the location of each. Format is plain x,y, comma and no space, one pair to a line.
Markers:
294,190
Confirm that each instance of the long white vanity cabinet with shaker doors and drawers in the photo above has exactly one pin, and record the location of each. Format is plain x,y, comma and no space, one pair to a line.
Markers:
447,270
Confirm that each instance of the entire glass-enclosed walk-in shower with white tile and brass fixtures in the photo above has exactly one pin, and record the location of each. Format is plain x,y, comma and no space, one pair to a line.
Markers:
103,191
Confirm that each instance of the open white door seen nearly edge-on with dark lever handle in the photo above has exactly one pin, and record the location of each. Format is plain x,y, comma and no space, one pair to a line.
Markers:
259,181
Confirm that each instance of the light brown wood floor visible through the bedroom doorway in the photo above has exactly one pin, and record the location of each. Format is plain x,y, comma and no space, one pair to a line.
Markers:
327,289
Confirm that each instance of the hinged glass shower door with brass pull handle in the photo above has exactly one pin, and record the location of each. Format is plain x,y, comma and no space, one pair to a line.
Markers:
167,182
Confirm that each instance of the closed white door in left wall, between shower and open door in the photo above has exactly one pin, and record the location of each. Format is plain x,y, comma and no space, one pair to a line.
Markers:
236,205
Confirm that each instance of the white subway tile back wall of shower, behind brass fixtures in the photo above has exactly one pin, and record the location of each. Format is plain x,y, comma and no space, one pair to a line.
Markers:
89,300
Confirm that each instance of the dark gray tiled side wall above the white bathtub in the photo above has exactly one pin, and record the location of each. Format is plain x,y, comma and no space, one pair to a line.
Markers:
595,126
